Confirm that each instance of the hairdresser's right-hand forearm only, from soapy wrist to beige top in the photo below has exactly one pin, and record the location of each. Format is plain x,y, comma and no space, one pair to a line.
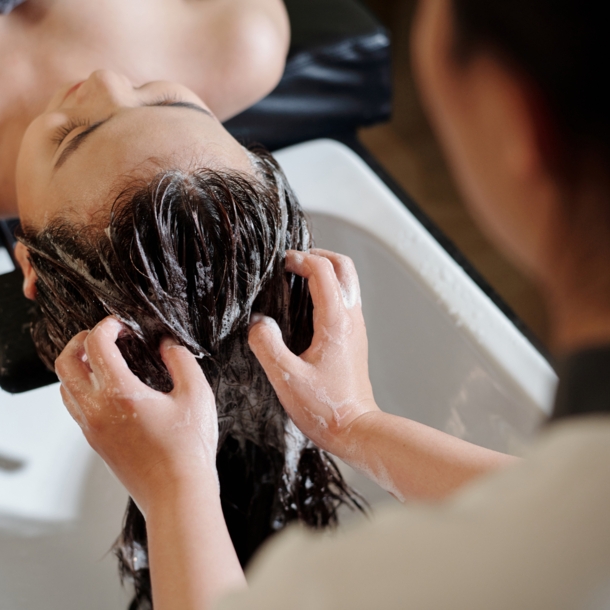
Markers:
412,460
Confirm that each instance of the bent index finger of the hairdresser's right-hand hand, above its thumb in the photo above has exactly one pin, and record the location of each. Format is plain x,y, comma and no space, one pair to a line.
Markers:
323,285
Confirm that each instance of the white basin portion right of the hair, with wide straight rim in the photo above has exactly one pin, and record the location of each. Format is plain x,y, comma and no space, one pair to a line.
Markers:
441,352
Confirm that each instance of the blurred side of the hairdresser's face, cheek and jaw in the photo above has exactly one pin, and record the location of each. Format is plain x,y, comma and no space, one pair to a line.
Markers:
465,125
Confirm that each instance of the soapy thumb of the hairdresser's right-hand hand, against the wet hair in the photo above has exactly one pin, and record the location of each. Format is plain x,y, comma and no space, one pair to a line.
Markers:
279,363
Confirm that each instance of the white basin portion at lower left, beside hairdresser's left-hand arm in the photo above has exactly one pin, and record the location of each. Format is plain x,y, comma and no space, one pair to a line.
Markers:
60,511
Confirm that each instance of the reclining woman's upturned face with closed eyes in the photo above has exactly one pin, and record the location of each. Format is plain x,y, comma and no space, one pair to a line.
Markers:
97,134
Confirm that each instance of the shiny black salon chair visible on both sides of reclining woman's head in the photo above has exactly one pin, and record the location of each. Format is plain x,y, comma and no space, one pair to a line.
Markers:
337,79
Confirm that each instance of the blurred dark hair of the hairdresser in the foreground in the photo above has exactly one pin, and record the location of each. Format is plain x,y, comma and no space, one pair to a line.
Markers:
563,47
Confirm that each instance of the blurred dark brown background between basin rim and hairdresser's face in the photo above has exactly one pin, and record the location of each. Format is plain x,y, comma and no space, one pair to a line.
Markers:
407,149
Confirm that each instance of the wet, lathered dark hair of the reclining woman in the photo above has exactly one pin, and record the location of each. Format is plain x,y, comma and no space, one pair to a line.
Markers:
191,255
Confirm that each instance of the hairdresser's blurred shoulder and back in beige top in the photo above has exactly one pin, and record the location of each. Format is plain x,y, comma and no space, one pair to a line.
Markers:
536,535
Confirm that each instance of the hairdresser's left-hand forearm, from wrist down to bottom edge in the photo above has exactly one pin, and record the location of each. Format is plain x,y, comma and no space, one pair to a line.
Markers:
191,556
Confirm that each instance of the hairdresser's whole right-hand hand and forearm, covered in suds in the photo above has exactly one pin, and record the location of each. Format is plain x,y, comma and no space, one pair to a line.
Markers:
327,392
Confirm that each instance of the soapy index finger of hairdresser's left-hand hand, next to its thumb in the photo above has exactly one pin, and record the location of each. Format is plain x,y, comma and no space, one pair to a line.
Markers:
105,358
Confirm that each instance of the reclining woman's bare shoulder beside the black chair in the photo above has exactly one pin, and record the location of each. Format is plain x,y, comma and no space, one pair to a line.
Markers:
247,41
